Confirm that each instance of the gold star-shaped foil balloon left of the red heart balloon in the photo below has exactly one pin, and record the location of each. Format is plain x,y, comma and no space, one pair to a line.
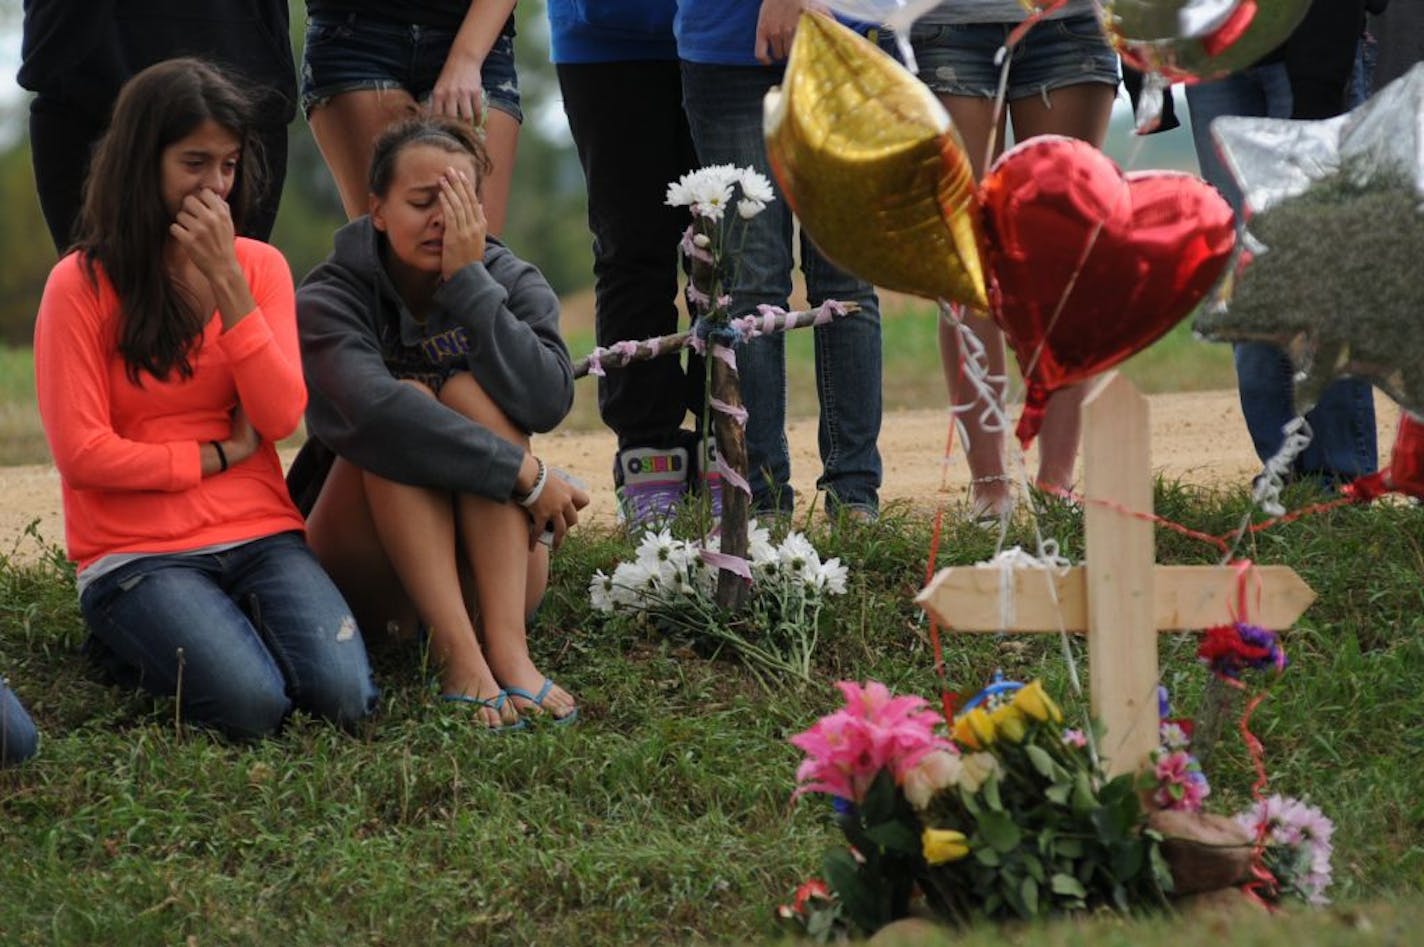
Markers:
871,163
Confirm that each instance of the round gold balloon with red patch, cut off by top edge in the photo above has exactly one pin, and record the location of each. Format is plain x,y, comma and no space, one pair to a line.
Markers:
1190,41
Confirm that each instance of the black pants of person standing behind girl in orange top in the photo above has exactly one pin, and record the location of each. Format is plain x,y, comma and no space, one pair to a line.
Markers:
62,140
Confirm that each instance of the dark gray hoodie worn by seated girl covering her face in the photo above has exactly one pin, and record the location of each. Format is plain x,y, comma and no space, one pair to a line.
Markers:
498,320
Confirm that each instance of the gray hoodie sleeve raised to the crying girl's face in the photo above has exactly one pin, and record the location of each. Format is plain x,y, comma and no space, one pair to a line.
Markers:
511,315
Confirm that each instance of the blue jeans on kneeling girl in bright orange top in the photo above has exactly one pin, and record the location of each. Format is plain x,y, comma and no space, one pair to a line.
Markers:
248,634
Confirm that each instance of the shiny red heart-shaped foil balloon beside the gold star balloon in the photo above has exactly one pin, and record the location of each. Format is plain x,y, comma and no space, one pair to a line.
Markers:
1089,266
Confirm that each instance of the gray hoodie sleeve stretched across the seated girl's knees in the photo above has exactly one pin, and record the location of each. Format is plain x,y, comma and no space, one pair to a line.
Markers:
358,409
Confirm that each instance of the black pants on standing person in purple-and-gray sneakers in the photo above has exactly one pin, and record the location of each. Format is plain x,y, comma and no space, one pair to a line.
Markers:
633,140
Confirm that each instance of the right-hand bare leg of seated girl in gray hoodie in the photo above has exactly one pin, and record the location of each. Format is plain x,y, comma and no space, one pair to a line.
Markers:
508,577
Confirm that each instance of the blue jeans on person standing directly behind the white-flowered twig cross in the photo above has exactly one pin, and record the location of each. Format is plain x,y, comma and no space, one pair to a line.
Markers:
724,106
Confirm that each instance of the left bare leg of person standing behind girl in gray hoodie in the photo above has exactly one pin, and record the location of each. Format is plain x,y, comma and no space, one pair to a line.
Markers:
347,127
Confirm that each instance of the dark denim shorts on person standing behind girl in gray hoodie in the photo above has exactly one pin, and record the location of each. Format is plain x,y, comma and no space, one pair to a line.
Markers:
352,53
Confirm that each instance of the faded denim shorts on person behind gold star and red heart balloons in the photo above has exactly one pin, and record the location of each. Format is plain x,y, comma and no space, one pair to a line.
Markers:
959,59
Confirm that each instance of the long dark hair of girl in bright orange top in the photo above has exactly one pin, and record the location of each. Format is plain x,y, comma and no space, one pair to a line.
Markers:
123,227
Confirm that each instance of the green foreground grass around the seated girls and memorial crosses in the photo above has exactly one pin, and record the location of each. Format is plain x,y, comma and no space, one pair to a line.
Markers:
664,815
